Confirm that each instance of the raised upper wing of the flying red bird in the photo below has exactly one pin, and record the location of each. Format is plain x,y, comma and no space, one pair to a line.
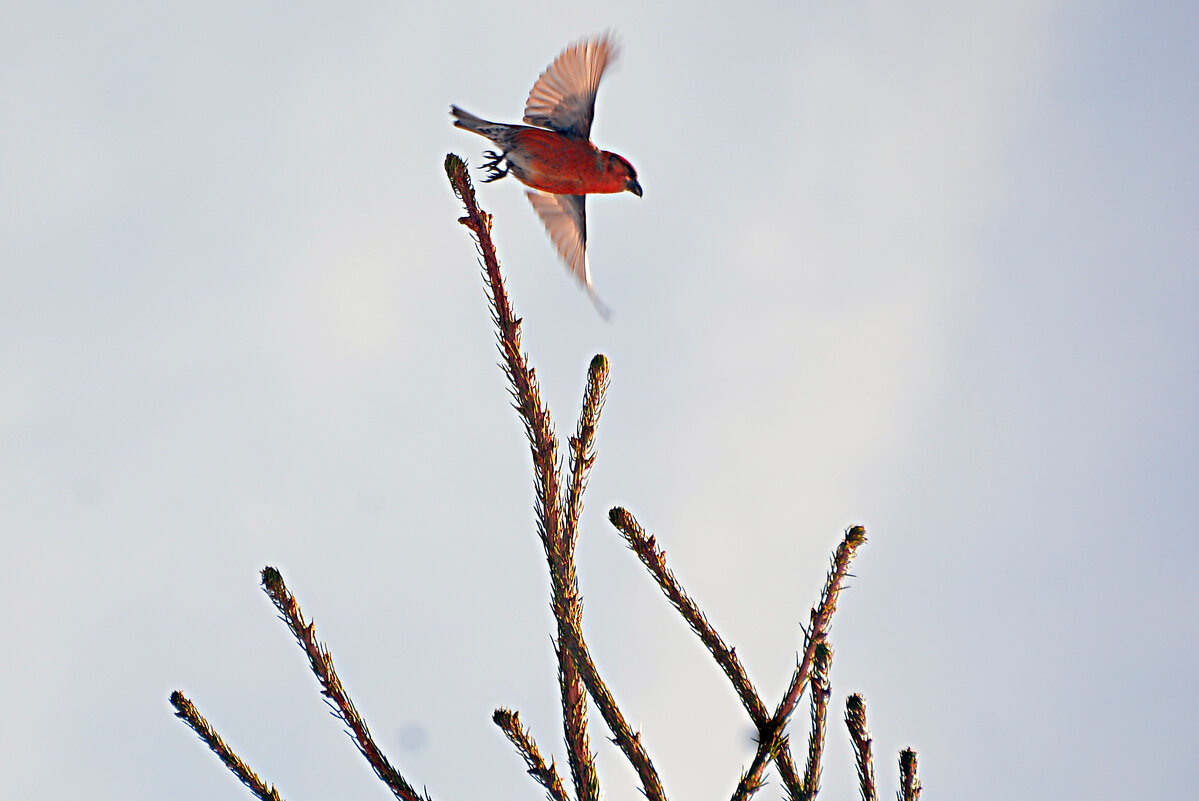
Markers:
564,99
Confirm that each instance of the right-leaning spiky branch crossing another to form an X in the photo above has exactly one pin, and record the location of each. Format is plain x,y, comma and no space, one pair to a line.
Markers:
773,740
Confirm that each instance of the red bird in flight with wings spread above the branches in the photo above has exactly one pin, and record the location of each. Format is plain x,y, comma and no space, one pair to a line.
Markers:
557,158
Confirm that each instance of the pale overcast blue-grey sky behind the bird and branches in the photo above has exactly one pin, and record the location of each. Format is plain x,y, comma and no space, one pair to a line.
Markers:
929,269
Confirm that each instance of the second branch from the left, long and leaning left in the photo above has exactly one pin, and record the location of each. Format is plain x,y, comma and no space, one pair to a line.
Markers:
332,685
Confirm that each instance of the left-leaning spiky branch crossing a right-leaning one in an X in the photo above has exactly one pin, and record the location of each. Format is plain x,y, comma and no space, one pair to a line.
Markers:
655,561
